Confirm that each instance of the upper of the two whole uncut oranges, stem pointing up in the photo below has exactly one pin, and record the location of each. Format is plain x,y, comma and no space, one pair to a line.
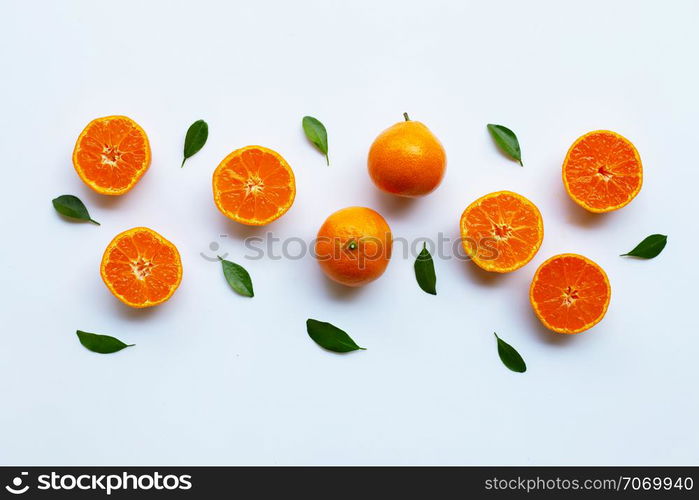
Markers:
407,160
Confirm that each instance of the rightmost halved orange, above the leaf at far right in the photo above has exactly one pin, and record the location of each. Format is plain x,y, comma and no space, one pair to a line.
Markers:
602,171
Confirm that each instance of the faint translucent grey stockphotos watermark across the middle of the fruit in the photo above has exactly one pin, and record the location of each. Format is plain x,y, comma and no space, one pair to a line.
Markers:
272,247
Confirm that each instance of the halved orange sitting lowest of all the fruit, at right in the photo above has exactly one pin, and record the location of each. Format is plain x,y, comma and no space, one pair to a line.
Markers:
570,293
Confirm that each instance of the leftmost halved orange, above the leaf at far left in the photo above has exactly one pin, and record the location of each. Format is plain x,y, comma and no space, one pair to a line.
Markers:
111,154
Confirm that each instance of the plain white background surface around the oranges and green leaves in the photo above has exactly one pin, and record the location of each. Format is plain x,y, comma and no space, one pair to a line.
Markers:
216,378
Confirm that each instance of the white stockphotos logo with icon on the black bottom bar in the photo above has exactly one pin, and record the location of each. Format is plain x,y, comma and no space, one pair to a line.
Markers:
105,483
